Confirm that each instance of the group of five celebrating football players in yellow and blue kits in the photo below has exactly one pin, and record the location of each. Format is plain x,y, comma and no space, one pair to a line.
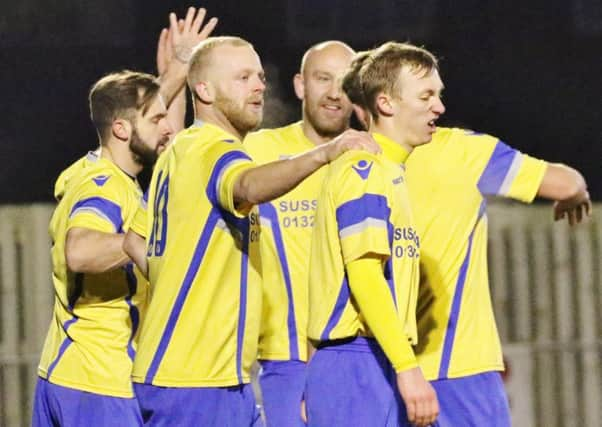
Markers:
350,264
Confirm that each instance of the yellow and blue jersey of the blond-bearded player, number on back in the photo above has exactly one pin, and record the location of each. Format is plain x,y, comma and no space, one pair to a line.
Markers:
204,266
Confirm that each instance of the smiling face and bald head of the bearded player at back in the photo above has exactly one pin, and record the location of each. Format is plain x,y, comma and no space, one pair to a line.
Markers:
326,108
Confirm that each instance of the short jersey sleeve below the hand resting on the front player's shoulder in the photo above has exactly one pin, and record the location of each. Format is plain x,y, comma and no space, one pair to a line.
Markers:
362,210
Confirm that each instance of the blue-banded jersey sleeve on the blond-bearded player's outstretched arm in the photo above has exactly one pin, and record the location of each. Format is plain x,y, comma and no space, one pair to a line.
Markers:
232,161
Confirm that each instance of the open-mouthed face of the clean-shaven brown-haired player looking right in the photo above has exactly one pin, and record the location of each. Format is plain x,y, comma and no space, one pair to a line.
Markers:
417,105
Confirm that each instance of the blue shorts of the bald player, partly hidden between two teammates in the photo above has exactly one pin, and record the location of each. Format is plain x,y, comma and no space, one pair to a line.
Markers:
282,384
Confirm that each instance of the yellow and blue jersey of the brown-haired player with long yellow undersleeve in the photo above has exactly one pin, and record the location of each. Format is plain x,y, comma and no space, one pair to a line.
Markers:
363,209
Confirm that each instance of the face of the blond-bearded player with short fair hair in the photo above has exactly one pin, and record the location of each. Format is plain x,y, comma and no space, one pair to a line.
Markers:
239,83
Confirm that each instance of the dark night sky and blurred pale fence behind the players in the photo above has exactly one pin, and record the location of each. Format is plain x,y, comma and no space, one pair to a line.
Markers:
527,72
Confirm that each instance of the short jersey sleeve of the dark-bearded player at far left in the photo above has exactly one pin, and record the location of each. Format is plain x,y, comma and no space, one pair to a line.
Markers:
98,205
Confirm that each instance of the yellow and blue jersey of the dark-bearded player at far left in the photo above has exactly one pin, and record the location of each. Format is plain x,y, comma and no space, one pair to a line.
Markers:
90,345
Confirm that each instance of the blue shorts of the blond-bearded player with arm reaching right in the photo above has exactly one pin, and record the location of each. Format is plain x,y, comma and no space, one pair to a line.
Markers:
198,406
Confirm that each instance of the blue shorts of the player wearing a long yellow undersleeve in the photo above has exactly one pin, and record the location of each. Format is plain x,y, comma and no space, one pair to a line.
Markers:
353,384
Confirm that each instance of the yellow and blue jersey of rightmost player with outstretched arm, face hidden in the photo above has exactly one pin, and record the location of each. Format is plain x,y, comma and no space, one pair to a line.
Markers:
448,181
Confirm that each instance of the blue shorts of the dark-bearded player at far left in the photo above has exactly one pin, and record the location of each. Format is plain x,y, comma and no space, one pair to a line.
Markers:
55,405
